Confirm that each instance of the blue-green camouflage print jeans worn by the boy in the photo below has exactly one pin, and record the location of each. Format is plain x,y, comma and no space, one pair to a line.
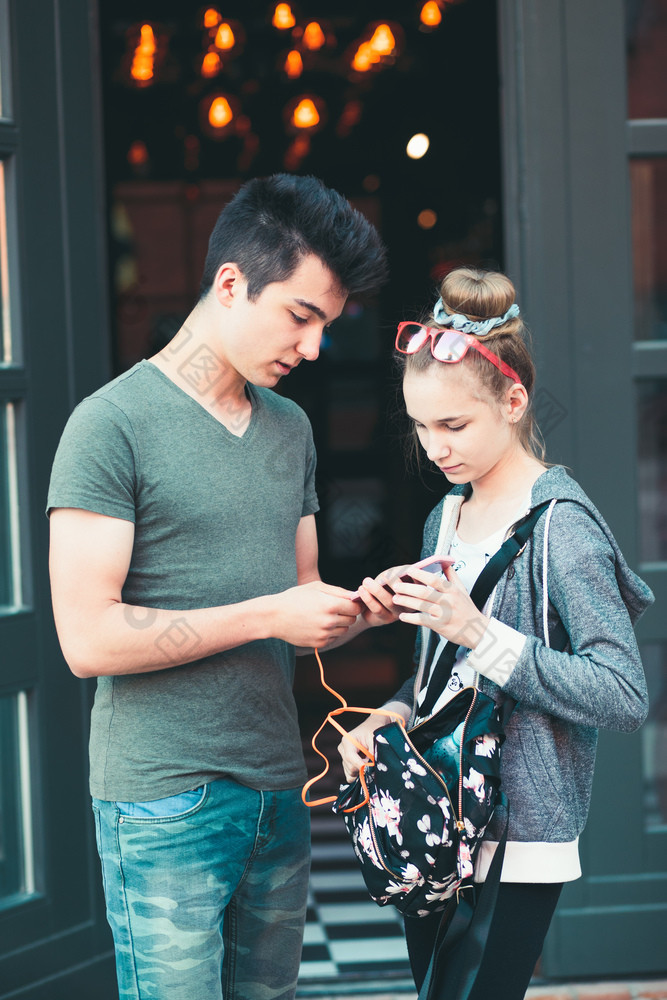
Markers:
206,892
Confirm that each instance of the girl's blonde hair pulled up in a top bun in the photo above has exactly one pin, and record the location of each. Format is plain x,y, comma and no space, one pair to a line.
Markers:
481,295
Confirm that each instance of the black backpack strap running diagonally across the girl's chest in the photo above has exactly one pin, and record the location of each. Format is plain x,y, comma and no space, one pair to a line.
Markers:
479,595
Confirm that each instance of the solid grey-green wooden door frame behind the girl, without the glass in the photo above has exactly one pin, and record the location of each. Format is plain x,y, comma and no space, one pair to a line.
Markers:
567,209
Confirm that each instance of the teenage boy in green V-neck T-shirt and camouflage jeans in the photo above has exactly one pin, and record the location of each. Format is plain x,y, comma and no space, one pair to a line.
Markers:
184,573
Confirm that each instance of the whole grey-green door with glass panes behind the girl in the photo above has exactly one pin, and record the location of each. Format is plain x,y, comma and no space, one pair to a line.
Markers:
585,120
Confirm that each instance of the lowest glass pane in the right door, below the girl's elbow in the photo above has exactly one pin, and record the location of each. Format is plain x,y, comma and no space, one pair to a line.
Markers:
654,736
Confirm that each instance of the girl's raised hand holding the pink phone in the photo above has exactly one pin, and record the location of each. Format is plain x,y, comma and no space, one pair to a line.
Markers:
440,603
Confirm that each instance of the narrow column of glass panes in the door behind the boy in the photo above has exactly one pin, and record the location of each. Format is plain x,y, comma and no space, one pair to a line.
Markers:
17,646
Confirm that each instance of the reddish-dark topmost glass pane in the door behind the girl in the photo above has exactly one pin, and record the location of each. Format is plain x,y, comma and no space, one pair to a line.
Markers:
646,32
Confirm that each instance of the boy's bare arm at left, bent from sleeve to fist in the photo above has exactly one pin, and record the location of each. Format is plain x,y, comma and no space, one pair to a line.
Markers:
100,635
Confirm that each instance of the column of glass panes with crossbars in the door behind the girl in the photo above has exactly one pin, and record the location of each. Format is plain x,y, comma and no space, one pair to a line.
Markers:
647,148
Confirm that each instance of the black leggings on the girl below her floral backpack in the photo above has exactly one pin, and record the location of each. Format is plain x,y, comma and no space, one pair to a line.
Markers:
520,923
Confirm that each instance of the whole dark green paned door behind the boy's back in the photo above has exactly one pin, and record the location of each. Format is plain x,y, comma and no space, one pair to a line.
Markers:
53,351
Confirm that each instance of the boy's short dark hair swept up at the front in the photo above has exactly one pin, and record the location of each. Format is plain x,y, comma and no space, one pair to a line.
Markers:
273,222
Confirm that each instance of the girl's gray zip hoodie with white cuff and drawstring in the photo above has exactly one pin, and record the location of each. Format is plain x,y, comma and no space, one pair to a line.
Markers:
563,697
